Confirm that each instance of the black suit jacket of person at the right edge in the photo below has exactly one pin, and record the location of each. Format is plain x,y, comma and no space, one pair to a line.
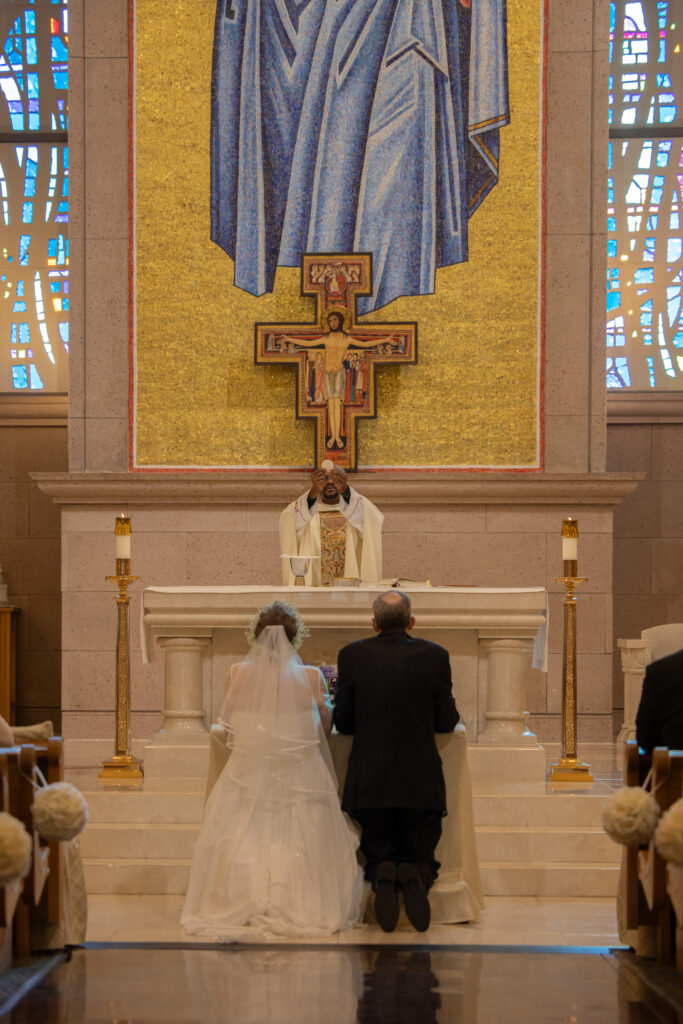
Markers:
660,718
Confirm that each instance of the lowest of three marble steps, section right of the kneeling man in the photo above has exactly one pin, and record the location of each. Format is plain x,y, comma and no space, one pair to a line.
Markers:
559,879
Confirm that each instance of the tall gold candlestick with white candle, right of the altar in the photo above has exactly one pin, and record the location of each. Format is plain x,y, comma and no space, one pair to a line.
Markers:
570,769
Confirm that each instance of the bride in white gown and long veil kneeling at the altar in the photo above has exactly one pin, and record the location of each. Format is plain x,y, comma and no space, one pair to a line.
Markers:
275,857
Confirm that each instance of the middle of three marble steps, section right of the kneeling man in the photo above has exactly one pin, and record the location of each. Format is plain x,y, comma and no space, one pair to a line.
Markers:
539,844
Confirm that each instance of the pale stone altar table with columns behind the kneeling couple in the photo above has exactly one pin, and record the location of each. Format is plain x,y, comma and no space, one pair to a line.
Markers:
493,635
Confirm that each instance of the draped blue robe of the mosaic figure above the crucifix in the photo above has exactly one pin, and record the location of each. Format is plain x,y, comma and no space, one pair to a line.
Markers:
355,126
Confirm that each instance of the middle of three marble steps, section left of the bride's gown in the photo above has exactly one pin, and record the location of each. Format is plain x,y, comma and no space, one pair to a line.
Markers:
139,840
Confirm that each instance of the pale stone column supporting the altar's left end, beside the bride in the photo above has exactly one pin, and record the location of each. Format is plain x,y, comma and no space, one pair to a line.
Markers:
184,713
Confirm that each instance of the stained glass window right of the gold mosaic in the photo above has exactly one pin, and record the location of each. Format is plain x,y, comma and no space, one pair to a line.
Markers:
645,335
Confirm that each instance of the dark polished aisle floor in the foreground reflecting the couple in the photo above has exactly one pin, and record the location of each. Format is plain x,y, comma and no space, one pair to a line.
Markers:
307,986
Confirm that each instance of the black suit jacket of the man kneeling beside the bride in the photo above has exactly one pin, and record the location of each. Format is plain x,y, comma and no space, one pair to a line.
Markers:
394,694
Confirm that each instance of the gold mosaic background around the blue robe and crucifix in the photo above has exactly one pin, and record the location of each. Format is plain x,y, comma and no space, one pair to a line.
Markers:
473,401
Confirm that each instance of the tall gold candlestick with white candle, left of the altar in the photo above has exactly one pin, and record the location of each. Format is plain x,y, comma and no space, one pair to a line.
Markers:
122,770
